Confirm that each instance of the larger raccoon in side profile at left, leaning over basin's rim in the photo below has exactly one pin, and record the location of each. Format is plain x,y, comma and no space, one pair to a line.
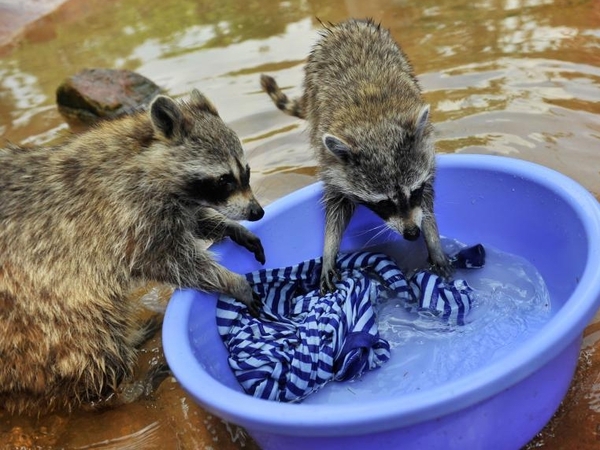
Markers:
84,222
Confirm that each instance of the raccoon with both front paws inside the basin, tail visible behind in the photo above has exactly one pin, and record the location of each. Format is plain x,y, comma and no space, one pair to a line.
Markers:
370,128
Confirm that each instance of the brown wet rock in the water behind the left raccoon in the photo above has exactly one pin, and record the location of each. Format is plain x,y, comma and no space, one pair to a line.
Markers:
96,94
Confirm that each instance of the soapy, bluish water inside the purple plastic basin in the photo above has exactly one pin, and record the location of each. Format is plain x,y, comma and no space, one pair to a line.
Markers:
510,304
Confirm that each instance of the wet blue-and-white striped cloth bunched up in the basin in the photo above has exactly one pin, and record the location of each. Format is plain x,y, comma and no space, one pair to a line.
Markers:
302,339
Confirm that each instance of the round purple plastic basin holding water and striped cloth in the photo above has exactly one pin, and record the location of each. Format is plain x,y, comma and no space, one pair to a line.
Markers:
513,205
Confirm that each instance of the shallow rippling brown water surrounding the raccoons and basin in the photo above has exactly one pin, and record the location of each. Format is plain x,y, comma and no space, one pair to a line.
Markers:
509,77
